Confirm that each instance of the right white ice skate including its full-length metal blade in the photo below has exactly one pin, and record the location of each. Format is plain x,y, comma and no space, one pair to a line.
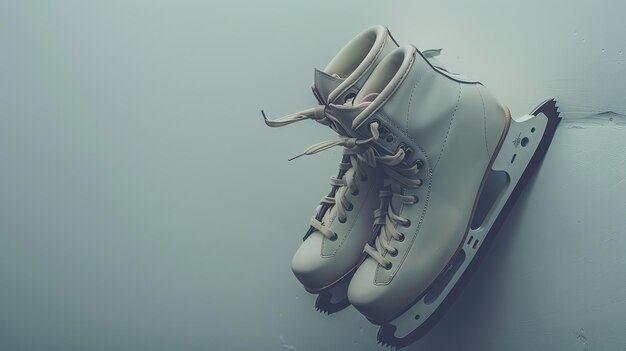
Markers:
438,139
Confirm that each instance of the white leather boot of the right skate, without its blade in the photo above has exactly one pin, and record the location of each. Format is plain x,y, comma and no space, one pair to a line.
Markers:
453,128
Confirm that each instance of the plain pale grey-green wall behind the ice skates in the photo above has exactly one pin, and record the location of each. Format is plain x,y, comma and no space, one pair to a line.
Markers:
144,205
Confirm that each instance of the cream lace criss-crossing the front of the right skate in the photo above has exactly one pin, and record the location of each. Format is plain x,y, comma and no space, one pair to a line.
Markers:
386,217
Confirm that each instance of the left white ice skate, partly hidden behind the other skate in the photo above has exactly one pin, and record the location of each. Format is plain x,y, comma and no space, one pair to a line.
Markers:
333,245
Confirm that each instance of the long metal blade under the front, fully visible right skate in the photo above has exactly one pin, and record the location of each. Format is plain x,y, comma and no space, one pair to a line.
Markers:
523,148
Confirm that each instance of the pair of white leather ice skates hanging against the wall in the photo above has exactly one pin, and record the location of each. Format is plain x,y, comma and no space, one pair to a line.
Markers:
431,163
